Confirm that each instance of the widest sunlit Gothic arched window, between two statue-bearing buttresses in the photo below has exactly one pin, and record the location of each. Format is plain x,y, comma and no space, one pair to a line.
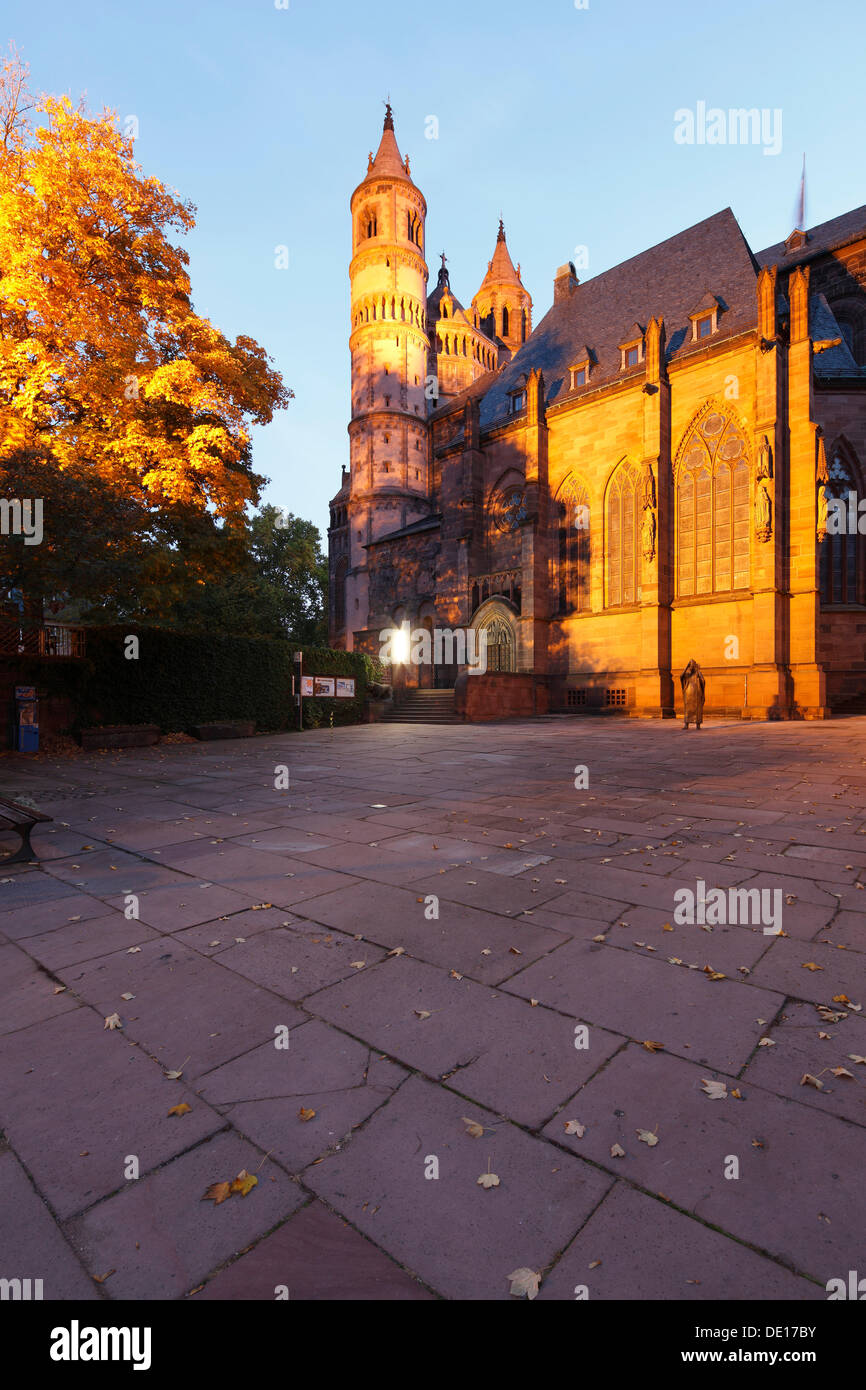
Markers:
714,509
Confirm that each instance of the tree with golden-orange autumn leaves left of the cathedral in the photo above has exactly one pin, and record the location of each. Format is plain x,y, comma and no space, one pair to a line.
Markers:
123,401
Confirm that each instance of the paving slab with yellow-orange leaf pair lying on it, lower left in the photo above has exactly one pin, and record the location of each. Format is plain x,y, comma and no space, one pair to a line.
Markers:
158,1235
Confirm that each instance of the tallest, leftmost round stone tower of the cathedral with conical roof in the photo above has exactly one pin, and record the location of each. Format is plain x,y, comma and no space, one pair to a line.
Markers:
389,447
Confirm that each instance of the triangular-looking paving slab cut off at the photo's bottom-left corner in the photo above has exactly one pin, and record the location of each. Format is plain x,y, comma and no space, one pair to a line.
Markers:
31,1243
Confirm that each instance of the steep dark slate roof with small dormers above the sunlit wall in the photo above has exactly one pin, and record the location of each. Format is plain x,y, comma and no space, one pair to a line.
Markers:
668,280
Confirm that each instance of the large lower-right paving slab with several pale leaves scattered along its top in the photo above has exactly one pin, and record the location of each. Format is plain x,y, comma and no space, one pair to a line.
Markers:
796,1196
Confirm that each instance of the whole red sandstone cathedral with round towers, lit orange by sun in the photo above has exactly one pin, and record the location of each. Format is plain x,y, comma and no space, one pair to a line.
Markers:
647,476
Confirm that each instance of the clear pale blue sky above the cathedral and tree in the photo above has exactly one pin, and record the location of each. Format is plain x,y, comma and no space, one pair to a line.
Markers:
555,117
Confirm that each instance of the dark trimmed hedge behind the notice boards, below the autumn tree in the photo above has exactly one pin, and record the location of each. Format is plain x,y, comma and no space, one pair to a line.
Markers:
184,679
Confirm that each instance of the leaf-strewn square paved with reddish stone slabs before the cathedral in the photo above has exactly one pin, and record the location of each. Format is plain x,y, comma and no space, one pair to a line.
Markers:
434,938
